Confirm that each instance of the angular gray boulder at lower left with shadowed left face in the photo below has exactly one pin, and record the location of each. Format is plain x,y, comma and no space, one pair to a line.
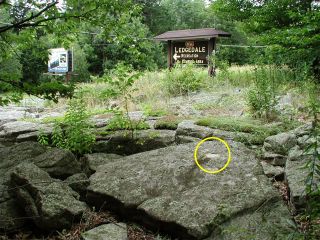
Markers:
50,203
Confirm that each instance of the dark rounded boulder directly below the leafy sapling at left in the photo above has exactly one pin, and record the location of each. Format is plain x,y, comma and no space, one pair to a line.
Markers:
59,163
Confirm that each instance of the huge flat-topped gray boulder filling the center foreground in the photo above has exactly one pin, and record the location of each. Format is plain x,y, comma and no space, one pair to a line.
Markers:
164,188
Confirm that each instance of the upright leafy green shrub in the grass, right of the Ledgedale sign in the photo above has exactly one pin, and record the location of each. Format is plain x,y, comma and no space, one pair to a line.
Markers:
261,98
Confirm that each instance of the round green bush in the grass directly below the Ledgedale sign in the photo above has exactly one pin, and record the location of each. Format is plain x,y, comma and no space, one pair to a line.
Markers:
183,79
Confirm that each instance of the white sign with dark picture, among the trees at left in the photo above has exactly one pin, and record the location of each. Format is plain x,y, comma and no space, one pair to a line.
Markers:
58,60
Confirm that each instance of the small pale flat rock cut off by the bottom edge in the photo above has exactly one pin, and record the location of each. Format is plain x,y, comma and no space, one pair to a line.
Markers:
107,232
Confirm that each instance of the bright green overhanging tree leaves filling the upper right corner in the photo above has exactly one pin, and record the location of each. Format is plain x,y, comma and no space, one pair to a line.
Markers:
289,27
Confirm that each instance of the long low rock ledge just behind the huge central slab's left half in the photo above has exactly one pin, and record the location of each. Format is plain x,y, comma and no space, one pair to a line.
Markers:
123,143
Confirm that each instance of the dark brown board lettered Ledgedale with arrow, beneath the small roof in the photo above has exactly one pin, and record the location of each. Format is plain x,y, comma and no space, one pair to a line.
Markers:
190,52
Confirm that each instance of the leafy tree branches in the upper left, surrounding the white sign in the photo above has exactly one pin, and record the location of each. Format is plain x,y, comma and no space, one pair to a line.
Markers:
24,30
